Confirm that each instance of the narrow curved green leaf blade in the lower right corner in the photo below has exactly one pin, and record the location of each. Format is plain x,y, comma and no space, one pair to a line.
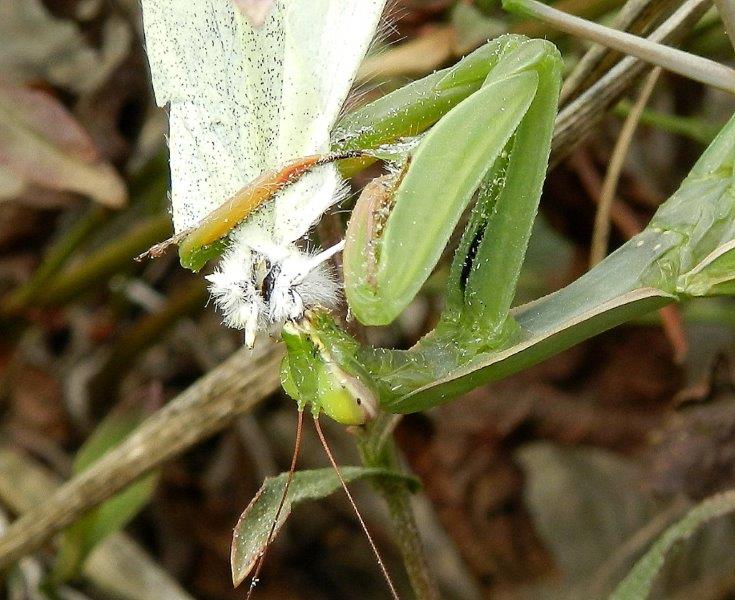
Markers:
638,583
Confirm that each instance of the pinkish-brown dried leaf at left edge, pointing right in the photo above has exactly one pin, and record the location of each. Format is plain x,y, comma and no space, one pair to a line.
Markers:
41,144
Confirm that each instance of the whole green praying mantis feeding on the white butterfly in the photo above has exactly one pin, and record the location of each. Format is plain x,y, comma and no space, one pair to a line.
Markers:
482,129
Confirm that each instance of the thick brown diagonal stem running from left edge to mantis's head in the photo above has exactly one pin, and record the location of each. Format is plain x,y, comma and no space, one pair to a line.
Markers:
207,406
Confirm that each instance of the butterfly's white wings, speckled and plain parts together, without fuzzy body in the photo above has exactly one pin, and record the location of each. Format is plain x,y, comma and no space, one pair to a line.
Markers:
245,100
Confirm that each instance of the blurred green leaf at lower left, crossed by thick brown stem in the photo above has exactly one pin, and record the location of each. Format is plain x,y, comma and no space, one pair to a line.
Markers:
80,538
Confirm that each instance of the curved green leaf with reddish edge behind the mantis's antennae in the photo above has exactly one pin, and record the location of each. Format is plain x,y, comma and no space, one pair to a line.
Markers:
251,531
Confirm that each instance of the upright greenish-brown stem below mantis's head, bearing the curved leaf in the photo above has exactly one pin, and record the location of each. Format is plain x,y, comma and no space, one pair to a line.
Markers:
377,450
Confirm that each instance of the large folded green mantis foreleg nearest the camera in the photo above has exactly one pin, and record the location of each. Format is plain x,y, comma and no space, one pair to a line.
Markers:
497,141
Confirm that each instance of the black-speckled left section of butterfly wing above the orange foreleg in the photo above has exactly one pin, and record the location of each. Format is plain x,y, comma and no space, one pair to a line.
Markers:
222,81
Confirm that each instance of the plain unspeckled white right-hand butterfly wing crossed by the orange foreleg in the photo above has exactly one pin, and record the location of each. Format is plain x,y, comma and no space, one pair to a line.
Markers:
325,41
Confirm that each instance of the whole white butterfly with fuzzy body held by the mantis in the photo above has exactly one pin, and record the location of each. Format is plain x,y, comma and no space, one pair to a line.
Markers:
244,100
